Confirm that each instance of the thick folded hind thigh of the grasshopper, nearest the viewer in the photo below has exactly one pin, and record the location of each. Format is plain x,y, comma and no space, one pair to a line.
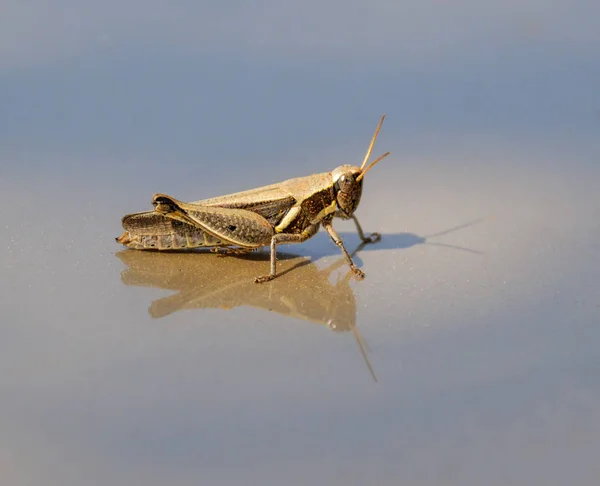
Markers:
239,227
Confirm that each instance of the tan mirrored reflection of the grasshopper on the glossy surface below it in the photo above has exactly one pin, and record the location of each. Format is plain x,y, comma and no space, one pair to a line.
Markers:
213,282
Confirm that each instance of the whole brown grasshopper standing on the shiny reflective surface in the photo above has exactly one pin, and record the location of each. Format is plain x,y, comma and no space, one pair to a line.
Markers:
287,212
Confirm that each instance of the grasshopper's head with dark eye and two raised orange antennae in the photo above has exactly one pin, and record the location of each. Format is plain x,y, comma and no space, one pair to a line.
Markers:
347,181
